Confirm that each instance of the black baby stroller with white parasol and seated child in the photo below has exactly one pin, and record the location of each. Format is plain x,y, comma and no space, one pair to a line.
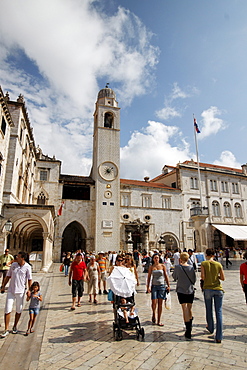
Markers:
122,283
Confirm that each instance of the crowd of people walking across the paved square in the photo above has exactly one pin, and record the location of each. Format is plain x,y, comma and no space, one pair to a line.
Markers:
94,269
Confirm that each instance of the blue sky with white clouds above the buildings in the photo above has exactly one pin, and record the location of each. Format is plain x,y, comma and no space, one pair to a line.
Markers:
166,60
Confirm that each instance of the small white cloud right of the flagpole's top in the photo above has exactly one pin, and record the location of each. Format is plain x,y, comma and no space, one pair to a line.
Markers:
210,124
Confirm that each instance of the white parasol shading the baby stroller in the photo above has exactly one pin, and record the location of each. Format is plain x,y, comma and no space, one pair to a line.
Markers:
122,282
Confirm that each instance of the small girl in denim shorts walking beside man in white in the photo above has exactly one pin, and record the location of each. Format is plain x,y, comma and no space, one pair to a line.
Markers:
35,298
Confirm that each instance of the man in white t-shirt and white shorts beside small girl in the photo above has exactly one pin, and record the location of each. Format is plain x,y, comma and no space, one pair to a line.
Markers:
18,274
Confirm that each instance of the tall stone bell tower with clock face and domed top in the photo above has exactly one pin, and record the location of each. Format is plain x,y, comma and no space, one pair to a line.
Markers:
106,171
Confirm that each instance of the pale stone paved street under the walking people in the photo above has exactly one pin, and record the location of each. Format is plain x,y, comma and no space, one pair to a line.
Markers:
83,339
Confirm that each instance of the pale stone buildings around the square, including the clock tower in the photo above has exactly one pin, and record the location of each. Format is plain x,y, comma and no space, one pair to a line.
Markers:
51,213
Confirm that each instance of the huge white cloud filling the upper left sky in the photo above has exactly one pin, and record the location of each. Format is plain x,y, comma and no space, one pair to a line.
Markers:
70,47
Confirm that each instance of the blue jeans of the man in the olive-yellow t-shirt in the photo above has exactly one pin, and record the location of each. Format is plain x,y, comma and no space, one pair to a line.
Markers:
217,296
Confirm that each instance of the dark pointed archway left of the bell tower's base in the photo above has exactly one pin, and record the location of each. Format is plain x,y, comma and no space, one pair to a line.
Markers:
74,238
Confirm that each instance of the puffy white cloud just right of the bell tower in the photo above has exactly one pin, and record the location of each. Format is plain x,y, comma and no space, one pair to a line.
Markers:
148,151
